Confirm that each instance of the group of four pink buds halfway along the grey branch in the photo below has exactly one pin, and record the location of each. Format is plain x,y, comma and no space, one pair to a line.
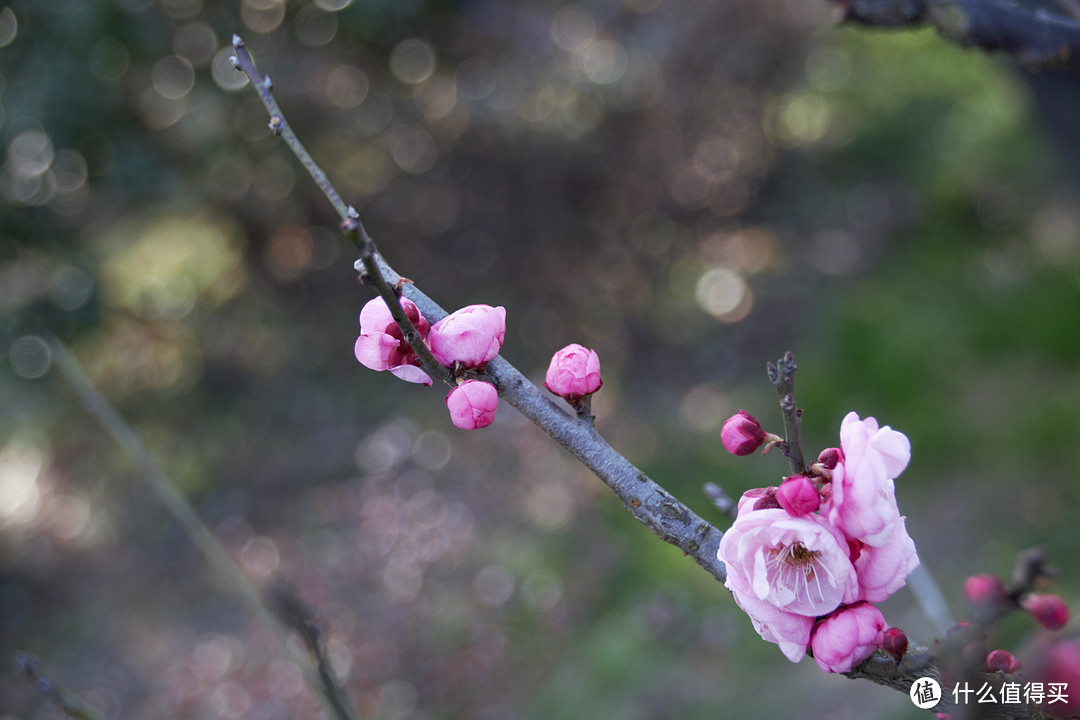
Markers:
465,341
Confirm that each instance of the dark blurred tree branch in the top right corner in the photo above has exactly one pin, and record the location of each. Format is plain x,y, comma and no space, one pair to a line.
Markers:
1036,39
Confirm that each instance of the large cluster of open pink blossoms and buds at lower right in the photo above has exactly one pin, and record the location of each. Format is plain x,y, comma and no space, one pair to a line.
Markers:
807,560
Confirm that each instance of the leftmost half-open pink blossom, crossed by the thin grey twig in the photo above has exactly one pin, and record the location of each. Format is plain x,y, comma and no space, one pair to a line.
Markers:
383,347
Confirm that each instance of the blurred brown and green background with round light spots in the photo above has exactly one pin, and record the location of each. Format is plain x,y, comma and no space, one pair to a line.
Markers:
692,188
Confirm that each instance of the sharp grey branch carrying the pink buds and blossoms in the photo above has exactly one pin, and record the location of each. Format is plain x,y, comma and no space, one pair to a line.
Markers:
646,500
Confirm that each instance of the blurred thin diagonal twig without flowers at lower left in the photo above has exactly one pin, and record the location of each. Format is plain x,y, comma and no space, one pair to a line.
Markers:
186,517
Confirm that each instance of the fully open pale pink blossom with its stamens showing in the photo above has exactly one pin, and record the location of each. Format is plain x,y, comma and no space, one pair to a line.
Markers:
798,565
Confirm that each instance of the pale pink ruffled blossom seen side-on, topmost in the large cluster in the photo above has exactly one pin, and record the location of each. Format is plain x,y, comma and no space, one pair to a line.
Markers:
863,504
